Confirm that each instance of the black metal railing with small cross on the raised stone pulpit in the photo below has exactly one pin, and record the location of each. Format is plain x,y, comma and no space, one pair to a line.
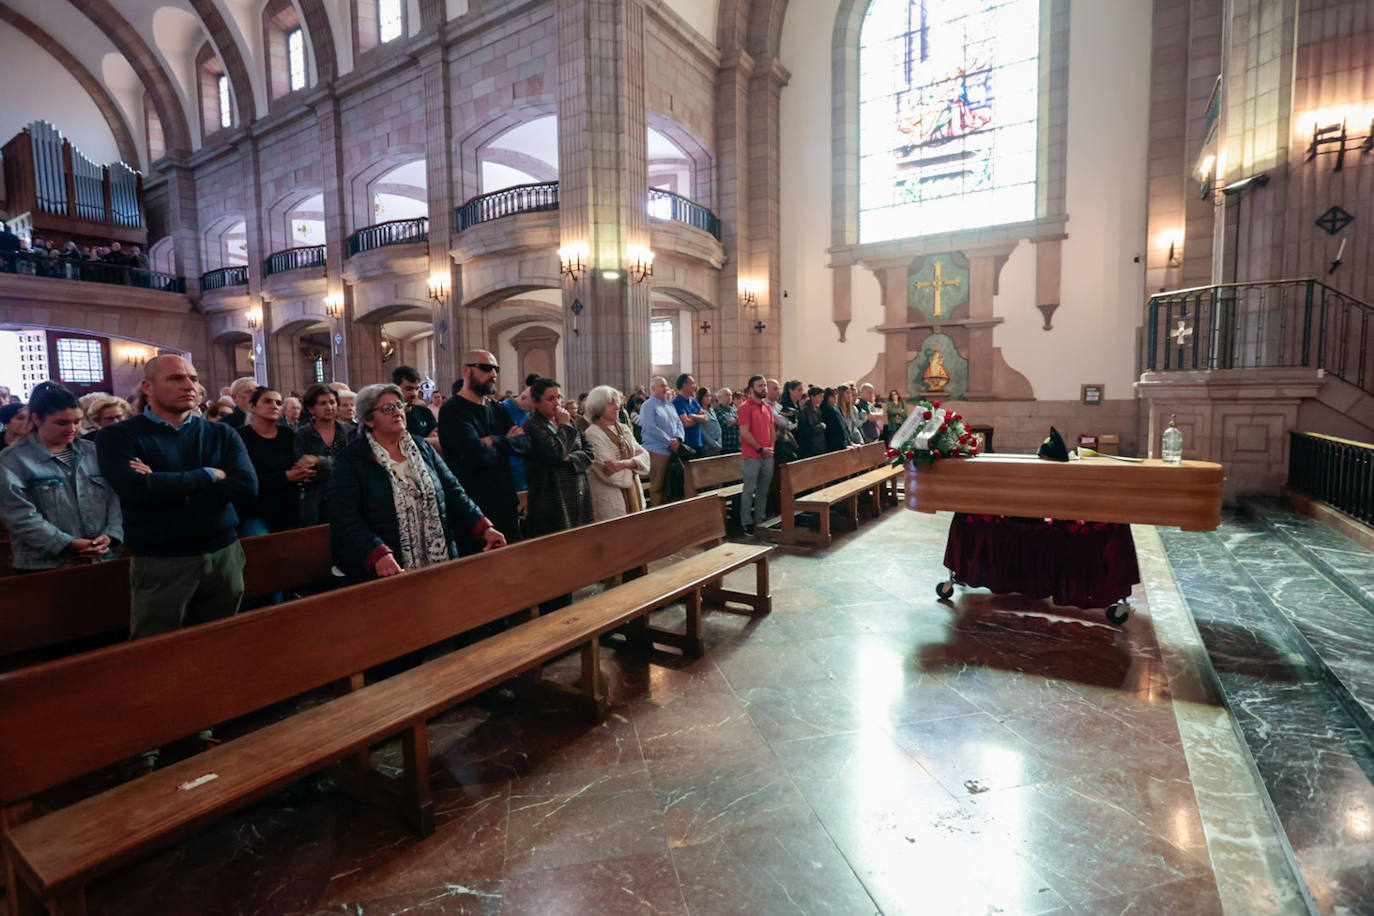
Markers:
1263,325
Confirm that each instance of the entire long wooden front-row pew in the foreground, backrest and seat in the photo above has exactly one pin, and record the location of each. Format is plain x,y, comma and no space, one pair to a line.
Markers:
75,716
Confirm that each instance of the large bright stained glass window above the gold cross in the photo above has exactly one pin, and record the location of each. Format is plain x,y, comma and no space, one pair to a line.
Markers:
949,102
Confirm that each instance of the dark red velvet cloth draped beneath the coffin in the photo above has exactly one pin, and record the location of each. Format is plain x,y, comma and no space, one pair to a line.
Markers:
1074,564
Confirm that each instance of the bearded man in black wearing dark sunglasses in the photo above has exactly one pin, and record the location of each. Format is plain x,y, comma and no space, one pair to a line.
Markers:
479,440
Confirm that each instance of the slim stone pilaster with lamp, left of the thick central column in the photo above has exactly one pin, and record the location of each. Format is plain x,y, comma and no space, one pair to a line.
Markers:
450,340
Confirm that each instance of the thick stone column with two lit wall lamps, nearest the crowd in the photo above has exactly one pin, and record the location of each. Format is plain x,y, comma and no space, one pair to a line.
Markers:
604,189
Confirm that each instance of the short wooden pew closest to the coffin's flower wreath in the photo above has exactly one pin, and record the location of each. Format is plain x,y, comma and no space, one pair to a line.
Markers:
848,474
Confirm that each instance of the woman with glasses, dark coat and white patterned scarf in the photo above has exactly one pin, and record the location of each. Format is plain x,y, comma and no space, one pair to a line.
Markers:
394,503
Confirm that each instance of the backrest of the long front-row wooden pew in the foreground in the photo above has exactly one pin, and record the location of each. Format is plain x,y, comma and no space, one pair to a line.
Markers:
78,715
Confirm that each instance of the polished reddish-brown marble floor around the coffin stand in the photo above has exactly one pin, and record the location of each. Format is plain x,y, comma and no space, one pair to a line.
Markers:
864,749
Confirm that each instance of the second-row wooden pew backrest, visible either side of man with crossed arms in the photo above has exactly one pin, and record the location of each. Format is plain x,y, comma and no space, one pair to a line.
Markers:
47,609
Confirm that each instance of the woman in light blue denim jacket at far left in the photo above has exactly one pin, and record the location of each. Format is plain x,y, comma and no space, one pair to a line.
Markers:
57,506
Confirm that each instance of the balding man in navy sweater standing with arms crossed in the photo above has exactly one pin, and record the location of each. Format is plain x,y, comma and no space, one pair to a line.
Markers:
178,477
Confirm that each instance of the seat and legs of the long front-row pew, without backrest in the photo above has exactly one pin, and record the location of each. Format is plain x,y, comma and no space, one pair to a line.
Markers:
57,855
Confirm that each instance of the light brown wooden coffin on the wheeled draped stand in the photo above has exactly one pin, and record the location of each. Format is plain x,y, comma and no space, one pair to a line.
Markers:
1096,490
